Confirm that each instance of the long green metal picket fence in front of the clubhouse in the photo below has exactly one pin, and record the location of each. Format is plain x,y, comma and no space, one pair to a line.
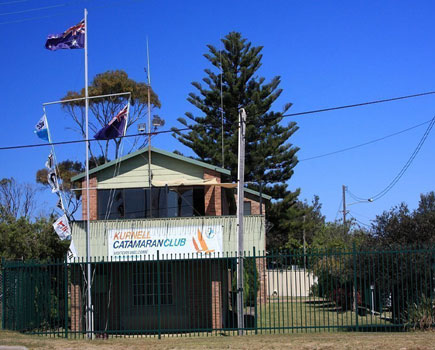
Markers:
196,294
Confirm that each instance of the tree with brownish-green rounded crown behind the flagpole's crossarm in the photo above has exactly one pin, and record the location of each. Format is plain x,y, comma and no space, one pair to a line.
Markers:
104,109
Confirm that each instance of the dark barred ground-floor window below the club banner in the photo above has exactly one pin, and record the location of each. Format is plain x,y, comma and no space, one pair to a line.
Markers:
146,285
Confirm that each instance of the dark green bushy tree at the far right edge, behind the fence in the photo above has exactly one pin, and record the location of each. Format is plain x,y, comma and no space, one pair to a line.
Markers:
395,230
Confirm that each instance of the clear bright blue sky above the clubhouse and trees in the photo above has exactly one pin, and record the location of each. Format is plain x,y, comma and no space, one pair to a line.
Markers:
327,54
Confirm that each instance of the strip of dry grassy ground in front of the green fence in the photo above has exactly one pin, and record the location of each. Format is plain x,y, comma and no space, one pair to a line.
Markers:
316,341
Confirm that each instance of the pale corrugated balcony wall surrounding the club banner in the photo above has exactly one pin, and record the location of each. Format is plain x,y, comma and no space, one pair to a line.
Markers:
254,226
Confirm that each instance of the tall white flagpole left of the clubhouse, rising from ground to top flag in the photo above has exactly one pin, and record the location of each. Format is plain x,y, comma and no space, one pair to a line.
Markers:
88,244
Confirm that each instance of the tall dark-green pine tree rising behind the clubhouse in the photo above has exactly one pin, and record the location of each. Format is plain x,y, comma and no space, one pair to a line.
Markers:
270,157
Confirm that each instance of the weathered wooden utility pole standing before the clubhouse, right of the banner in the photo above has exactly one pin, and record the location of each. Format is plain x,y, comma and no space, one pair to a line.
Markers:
240,198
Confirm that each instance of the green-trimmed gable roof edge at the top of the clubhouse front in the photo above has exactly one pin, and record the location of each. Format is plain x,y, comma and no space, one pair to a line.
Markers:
156,150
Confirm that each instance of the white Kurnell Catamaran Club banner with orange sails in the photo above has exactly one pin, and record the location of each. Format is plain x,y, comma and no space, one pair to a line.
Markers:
166,240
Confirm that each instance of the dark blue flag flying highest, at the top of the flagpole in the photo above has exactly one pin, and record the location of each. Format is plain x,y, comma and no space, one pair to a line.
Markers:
72,38
